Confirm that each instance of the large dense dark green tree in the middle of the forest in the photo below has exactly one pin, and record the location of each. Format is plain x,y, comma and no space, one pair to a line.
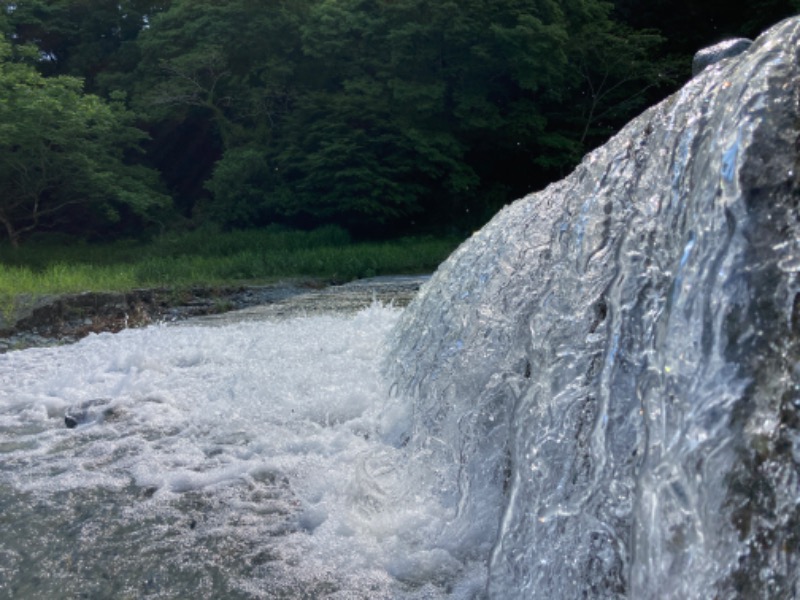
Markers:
410,105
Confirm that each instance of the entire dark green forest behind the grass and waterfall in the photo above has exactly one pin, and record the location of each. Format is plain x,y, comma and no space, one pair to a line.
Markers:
125,118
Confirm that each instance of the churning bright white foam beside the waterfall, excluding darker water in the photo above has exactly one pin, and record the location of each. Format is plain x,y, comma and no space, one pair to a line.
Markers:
192,408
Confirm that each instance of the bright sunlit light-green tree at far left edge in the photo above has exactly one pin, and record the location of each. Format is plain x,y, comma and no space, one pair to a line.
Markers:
62,153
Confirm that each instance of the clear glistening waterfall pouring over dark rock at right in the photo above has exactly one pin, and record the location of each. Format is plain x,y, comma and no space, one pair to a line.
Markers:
606,375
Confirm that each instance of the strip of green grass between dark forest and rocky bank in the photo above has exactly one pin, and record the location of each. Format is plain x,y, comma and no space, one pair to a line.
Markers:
210,259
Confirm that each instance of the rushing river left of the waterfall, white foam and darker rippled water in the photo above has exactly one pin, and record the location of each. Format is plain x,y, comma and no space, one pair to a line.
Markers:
249,460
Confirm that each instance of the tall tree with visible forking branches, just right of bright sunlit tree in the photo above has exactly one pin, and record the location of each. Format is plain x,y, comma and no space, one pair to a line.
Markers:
215,77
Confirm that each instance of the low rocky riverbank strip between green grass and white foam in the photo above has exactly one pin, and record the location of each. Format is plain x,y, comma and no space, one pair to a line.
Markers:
66,318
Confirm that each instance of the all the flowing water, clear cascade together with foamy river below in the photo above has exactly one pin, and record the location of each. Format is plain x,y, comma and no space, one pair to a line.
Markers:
596,396
